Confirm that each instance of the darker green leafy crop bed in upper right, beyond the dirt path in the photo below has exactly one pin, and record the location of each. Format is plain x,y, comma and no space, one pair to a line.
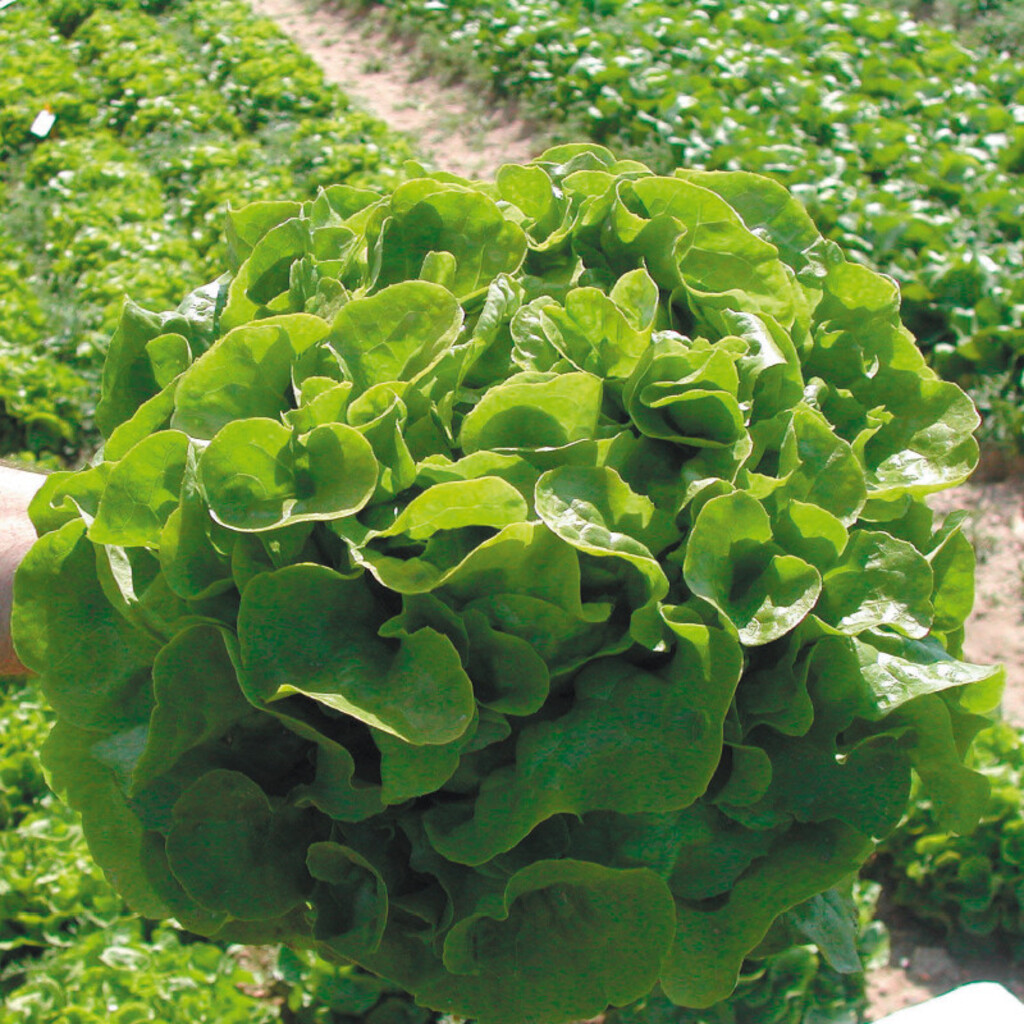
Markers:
907,147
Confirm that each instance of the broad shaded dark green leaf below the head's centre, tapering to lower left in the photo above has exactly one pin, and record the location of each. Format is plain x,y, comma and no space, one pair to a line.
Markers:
604,755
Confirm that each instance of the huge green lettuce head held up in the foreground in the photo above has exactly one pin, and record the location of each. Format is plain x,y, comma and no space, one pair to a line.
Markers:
526,591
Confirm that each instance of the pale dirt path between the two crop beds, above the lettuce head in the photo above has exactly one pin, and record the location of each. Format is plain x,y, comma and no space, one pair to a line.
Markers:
447,124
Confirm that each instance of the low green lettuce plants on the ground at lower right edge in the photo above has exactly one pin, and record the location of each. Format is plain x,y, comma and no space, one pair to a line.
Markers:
967,886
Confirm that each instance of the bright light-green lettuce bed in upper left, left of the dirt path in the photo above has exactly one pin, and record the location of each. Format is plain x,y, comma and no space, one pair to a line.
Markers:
163,113
